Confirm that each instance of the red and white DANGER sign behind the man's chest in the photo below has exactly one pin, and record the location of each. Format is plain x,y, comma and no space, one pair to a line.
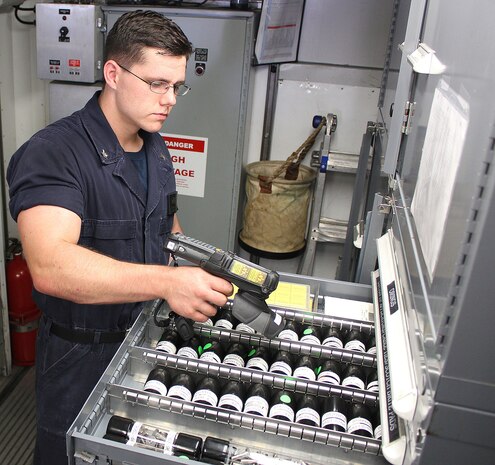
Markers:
189,158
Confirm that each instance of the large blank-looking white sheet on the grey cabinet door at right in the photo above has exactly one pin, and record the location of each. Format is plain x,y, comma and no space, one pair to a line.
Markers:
440,160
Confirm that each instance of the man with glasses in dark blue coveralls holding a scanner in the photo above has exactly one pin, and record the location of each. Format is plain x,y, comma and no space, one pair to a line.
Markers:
94,198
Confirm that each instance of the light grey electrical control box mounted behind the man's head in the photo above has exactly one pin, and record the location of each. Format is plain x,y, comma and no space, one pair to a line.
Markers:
69,42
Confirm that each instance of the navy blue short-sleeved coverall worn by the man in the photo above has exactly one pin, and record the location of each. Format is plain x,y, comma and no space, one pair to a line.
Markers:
77,163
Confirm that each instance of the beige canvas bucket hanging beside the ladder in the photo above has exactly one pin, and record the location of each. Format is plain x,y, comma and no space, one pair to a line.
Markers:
276,222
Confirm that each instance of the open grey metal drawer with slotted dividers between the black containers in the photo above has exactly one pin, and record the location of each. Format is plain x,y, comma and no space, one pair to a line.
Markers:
121,392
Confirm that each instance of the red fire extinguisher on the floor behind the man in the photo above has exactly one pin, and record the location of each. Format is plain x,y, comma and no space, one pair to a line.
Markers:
24,315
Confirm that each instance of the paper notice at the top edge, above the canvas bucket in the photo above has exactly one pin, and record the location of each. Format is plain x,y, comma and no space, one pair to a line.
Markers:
278,34
